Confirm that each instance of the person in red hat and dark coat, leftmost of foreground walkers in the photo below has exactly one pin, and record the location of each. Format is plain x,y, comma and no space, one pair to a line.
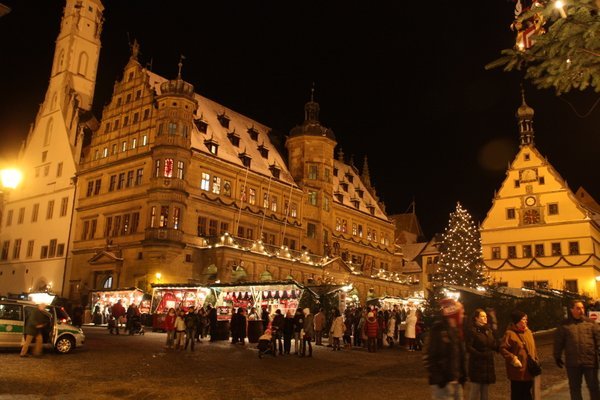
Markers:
444,352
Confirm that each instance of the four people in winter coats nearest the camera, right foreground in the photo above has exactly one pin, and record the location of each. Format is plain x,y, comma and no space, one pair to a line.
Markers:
456,352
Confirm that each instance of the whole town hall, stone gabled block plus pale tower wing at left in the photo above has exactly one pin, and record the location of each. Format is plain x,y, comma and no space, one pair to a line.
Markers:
172,187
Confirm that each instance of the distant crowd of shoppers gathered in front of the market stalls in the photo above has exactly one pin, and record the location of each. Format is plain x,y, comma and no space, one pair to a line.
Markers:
295,333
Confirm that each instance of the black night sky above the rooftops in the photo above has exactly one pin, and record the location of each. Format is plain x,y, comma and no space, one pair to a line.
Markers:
398,81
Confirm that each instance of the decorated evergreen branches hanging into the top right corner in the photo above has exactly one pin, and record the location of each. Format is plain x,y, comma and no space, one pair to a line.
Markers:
558,44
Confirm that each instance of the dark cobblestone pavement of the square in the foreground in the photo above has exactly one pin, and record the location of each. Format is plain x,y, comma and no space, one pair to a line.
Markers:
138,367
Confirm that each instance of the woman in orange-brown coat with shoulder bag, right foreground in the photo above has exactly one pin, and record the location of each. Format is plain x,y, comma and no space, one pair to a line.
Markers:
516,347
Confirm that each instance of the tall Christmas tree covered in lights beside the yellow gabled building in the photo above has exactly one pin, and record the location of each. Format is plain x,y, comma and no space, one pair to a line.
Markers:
460,253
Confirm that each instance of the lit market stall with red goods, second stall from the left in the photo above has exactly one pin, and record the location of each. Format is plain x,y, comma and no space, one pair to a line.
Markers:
177,296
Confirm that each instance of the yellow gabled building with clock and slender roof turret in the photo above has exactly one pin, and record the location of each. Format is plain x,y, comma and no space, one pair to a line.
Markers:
537,233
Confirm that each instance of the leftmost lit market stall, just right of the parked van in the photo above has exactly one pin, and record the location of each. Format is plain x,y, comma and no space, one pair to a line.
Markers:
102,300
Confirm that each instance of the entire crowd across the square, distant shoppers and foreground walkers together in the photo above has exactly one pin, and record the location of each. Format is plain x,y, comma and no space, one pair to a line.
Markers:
455,351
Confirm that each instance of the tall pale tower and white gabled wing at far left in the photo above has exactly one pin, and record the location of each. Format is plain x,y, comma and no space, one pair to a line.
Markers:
36,232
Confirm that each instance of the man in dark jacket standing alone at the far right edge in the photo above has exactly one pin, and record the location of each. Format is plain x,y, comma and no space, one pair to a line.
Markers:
578,337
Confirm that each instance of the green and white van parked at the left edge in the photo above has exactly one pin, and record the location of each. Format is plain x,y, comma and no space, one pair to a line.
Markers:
61,335
